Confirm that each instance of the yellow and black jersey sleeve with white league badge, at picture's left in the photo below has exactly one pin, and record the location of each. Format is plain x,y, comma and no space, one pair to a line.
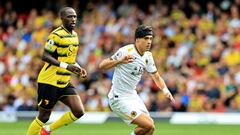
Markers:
52,43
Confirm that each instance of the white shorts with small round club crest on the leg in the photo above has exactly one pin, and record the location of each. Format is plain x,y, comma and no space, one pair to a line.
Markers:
128,108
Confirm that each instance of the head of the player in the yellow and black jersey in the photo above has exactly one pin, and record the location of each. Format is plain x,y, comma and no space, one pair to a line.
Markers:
69,19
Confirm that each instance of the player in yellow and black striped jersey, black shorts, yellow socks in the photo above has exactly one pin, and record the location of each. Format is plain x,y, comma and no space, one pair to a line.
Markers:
54,85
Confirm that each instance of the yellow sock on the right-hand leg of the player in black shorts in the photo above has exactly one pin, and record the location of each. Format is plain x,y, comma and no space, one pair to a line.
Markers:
67,118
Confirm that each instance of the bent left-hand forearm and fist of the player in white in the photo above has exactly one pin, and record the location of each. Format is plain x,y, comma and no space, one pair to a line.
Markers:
109,63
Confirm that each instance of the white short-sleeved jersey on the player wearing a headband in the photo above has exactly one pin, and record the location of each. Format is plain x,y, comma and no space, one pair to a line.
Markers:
127,76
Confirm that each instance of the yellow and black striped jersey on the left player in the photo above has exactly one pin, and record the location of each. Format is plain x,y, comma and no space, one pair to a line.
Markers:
63,46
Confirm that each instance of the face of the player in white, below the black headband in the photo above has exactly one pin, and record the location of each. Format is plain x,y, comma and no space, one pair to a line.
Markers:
145,43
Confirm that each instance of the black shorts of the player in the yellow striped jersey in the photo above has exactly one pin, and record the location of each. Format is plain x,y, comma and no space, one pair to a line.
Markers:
48,95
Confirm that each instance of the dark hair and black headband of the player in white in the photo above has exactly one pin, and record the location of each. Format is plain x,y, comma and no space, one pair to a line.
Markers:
143,30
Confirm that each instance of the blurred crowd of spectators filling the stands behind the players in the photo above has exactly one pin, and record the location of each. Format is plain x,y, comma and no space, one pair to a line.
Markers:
196,49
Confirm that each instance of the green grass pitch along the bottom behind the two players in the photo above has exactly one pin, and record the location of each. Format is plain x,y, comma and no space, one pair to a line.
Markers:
120,128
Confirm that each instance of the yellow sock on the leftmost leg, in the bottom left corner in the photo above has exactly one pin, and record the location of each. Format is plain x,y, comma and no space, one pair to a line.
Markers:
35,127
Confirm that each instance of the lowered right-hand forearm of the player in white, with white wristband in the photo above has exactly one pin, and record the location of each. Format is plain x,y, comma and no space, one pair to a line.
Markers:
161,85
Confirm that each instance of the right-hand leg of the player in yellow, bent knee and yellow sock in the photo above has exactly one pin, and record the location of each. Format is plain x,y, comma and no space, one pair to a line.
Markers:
73,101
